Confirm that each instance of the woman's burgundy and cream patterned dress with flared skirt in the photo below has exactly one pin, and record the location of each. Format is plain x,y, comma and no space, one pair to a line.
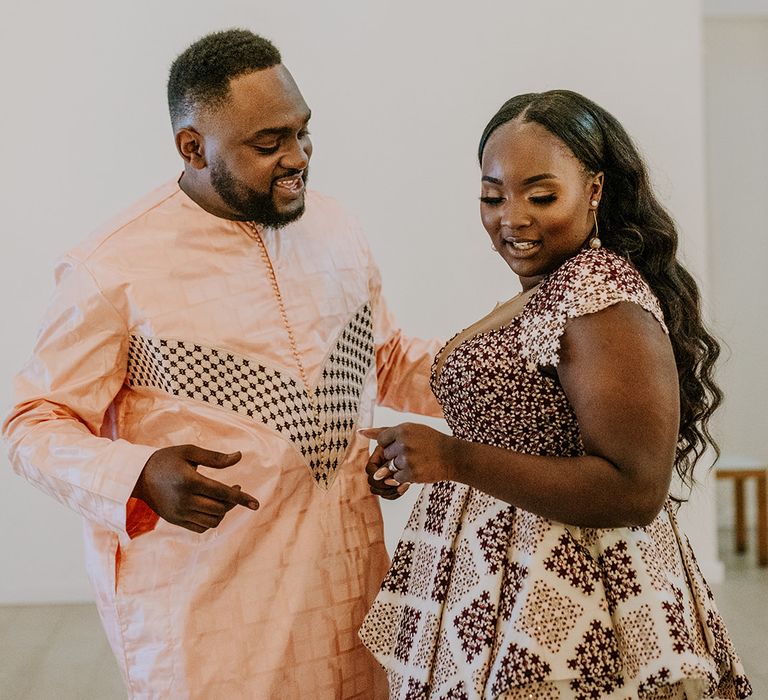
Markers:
486,600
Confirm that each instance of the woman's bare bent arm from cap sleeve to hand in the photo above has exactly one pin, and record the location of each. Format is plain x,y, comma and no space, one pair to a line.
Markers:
618,371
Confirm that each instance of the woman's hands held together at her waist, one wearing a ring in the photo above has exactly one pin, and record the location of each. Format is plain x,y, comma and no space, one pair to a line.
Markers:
408,453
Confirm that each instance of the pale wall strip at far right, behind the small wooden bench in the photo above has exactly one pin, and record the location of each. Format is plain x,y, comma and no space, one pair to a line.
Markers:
736,69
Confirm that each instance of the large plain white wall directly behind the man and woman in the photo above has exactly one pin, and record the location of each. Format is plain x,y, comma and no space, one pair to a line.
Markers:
400,92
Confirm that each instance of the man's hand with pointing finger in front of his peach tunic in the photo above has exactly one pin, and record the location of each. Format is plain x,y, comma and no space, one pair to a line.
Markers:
170,485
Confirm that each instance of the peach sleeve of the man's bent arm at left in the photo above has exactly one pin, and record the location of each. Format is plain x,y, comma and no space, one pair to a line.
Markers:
62,397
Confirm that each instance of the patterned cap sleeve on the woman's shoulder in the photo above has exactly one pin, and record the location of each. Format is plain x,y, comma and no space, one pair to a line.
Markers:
588,282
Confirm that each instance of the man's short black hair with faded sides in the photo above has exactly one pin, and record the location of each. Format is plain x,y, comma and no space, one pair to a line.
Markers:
200,75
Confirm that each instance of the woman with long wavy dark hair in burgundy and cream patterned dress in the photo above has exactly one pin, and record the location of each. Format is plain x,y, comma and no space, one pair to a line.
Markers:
544,558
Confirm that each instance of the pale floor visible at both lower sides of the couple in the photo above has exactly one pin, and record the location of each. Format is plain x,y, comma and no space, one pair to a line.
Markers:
59,652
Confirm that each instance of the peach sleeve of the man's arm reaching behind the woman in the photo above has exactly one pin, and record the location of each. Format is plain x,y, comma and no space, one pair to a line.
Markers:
403,363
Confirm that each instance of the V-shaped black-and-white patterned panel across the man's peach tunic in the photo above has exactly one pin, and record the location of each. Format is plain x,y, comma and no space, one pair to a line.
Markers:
321,433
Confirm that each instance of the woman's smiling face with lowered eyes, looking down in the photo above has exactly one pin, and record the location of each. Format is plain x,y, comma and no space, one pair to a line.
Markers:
535,201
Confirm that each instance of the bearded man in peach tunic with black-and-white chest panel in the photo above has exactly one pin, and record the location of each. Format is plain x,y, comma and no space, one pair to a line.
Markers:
226,330
